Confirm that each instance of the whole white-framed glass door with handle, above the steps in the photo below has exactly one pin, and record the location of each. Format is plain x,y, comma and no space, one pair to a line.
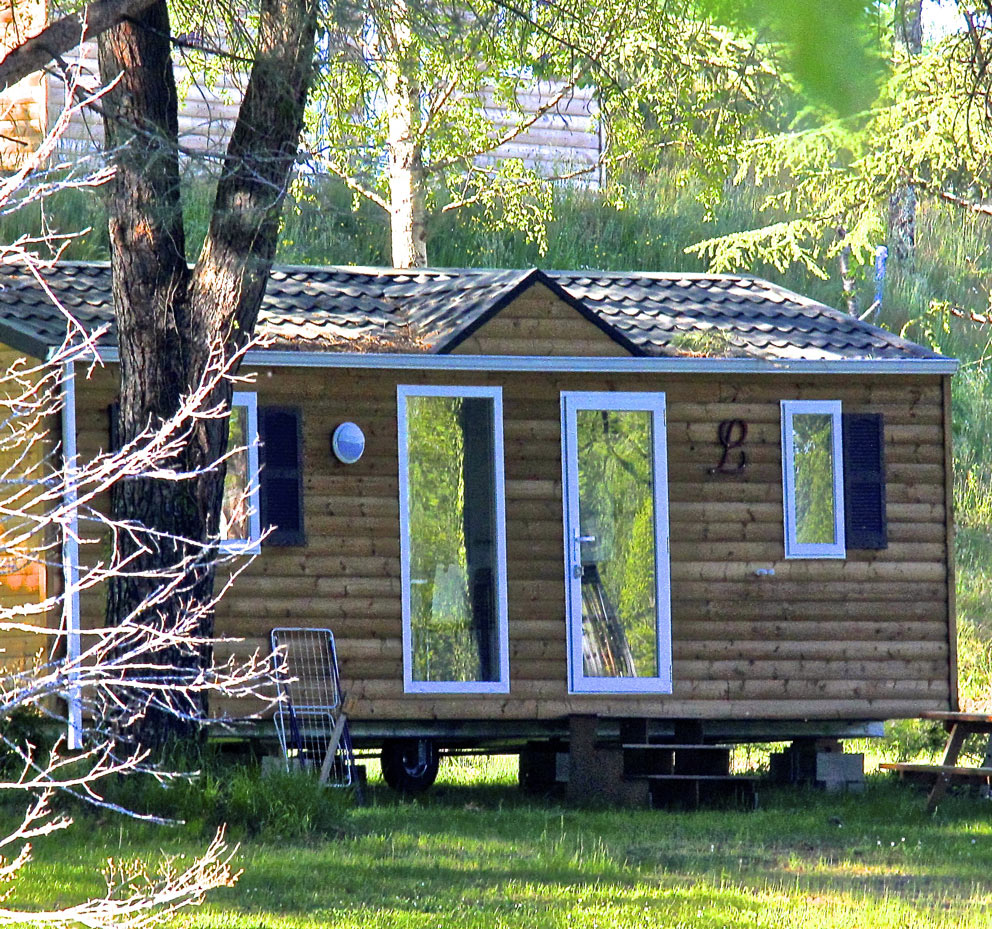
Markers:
615,494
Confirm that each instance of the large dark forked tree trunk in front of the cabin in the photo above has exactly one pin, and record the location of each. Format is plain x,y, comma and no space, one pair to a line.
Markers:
175,326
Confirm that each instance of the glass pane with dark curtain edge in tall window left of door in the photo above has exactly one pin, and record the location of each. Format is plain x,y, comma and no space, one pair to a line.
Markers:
452,538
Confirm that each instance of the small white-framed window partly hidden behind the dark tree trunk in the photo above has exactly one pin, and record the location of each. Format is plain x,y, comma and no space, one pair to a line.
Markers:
240,526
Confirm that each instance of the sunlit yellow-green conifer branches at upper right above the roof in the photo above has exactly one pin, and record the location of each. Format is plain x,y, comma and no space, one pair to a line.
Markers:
829,175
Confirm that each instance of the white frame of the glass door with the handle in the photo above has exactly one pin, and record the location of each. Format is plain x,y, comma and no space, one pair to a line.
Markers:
655,403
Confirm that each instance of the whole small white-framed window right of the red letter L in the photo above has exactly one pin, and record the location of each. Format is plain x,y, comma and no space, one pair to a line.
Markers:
812,479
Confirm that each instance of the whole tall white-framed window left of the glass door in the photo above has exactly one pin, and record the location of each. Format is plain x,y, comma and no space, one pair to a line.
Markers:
452,545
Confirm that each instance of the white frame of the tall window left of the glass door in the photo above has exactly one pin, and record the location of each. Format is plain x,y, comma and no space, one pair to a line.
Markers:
502,685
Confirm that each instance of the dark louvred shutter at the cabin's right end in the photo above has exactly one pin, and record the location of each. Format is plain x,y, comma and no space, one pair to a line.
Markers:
864,481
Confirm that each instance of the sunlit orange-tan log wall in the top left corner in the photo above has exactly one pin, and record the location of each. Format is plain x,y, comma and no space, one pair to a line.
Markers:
23,108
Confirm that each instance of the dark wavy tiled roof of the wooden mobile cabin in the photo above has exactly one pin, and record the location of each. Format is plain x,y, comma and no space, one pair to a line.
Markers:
431,310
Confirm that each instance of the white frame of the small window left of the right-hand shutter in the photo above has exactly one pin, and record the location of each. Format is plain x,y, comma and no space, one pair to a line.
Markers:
794,548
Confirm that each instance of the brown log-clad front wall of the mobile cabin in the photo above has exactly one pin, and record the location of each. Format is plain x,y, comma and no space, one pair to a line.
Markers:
862,637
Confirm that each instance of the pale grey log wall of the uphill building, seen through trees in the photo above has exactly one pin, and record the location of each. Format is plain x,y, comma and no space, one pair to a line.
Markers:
561,142
